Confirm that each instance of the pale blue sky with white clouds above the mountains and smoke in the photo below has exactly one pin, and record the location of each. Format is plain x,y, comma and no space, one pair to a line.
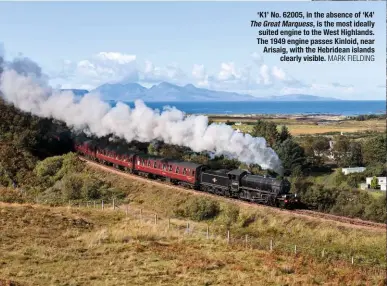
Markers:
208,44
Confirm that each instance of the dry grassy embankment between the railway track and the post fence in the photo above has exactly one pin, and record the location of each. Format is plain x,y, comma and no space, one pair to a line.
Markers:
311,235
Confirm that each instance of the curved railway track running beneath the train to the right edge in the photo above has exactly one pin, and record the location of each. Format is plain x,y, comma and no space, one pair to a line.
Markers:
304,213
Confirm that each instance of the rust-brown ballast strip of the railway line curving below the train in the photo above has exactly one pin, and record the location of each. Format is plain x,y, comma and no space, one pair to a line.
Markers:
311,215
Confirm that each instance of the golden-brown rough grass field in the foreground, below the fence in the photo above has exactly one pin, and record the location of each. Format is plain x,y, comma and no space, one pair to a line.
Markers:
61,246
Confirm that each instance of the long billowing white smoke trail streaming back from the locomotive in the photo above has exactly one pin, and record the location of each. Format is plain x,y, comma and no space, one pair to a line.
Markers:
22,84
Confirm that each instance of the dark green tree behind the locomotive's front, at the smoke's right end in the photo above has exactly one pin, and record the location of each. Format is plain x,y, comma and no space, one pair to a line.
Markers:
291,154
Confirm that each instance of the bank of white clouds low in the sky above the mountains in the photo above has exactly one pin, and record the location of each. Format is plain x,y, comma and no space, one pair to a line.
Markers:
253,78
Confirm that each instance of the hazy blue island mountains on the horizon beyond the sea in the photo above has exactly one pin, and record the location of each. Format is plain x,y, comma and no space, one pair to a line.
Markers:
167,92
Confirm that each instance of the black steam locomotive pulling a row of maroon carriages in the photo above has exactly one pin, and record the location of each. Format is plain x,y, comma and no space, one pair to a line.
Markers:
236,183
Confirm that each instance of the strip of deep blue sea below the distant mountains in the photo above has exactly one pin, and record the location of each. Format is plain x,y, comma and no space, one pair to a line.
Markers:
273,109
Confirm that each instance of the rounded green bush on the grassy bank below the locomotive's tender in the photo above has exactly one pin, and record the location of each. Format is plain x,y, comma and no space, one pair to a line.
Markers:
198,209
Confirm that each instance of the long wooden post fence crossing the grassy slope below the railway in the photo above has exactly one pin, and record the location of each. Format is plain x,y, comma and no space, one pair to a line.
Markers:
194,229
